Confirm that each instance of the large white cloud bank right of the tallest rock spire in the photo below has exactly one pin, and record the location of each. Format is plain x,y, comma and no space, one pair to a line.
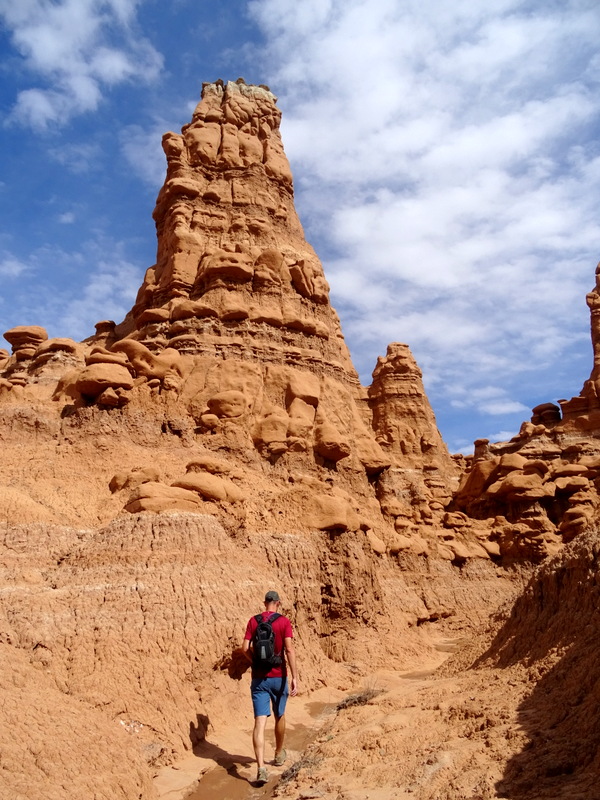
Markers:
447,166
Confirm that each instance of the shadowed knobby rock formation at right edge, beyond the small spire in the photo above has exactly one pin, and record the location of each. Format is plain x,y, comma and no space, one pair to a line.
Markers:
540,490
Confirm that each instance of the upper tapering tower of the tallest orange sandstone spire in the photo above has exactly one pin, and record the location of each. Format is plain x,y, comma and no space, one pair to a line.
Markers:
233,268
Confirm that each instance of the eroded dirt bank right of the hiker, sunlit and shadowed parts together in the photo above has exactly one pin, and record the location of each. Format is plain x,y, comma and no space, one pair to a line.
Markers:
513,715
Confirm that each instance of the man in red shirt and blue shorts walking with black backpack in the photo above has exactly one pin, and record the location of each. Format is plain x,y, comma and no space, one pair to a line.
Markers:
268,644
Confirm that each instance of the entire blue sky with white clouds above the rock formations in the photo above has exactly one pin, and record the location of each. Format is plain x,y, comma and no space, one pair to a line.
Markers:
446,160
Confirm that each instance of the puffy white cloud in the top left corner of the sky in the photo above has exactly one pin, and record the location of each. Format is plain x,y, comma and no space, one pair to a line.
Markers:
76,49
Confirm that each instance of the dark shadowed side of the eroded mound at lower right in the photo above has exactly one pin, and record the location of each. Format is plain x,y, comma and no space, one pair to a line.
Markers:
551,641
